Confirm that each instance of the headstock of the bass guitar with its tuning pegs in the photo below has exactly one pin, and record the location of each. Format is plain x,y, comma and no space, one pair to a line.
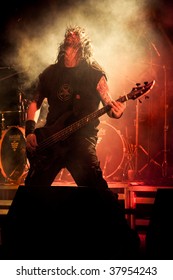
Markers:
140,90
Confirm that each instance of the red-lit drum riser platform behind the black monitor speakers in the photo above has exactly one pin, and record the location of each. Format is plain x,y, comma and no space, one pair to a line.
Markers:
136,197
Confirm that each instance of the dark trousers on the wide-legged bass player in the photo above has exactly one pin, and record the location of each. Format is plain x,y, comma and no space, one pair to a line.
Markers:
77,155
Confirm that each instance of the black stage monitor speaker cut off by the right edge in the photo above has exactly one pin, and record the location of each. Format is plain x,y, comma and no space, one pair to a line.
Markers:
159,237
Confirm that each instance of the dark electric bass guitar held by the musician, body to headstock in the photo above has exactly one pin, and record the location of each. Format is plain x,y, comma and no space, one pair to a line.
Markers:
46,137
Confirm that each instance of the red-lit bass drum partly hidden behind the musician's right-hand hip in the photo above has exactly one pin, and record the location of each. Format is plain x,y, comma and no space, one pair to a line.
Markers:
110,151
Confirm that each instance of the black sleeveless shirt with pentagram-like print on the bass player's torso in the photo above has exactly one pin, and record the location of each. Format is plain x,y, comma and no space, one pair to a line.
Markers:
71,93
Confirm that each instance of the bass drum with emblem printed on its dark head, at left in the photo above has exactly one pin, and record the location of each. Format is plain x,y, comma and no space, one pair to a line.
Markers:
13,159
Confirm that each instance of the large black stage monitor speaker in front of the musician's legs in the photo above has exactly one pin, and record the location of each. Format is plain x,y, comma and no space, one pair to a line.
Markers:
67,223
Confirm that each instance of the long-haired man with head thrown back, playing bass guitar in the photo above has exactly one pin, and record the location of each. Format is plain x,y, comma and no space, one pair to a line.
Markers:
74,86
